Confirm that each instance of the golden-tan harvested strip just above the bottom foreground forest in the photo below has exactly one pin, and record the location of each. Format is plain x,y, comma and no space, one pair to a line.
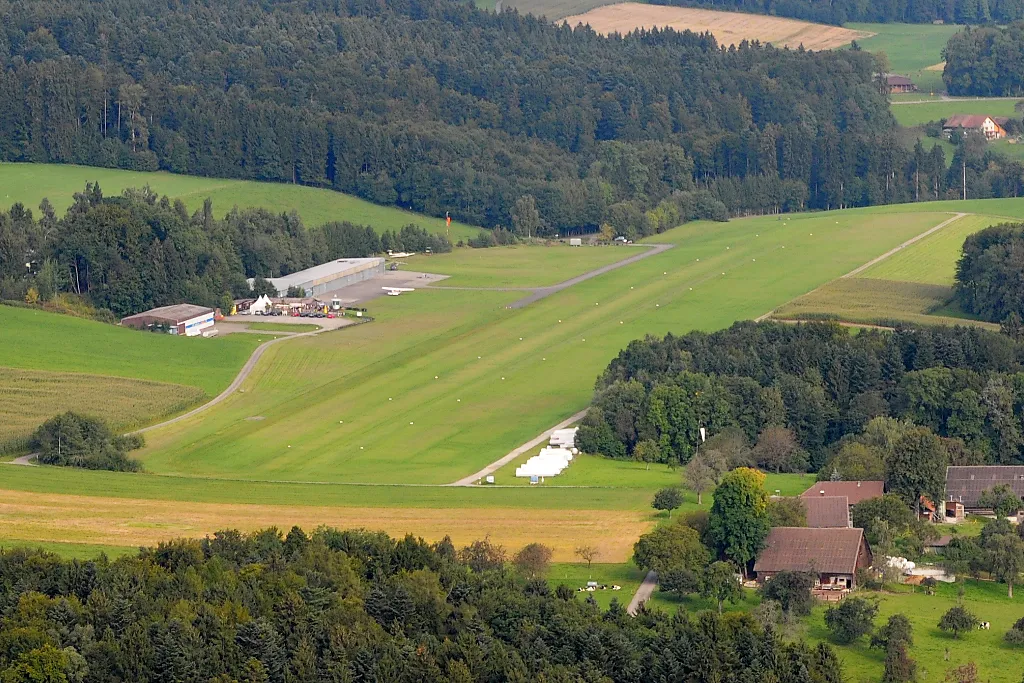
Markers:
143,523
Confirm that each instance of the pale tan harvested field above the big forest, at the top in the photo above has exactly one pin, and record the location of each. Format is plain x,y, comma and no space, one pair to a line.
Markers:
729,28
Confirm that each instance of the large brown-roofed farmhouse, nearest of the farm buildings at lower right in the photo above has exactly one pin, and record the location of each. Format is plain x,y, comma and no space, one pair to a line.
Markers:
834,556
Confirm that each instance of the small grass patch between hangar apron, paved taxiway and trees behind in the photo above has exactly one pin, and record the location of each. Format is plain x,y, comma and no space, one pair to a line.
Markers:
517,267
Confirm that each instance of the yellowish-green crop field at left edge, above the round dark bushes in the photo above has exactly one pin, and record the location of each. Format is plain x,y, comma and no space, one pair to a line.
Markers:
29,398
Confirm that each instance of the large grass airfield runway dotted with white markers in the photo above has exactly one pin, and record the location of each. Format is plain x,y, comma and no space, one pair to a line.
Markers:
365,406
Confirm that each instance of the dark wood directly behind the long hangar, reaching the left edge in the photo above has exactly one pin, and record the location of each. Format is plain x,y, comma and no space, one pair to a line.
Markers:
137,251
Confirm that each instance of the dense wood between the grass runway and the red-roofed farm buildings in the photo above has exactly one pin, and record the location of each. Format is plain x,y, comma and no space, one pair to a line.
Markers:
801,396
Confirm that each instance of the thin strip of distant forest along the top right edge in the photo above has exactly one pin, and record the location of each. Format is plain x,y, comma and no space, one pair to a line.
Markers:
880,12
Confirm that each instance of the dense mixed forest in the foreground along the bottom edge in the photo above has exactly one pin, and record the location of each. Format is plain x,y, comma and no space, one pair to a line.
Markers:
355,608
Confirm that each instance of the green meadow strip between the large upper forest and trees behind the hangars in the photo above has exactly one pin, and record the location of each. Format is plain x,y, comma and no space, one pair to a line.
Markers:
29,184
